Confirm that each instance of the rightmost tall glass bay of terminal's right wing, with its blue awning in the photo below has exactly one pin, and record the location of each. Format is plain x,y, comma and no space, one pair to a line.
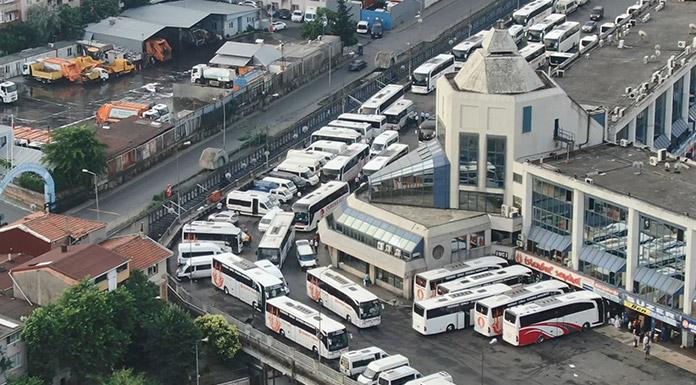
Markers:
661,258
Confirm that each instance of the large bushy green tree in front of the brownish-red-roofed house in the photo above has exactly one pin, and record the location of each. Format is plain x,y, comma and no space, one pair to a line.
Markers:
85,330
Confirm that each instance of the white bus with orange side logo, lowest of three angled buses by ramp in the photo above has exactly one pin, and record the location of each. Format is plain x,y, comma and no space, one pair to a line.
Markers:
306,327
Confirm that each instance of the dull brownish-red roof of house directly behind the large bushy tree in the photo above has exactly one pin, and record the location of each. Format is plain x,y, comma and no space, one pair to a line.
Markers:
78,262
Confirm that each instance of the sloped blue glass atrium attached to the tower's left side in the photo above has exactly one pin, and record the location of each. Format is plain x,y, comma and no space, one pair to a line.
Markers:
420,178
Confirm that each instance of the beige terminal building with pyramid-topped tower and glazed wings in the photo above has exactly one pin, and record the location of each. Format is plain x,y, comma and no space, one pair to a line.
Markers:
580,174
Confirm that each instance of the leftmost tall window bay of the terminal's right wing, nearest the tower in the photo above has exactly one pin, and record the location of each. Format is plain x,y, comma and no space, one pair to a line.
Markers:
552,207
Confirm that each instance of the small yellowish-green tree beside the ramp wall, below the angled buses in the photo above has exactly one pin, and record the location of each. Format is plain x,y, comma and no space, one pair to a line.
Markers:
223,337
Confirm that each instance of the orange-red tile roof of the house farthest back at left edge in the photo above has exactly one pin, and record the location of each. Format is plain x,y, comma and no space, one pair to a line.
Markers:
55,227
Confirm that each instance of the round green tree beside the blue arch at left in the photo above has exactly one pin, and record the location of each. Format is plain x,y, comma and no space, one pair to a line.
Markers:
73,149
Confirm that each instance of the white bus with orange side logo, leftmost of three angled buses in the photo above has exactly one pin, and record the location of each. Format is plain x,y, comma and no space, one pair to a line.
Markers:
245,281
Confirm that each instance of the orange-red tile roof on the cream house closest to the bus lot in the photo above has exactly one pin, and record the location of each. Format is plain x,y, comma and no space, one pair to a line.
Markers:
141,250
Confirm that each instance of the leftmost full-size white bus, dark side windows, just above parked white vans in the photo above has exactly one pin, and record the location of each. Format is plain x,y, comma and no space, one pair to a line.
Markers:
223,234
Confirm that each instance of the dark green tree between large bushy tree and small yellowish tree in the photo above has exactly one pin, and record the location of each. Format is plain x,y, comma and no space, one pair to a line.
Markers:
170,340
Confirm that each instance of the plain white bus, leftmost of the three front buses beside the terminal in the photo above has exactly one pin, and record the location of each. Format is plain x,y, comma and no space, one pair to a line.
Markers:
452,311
